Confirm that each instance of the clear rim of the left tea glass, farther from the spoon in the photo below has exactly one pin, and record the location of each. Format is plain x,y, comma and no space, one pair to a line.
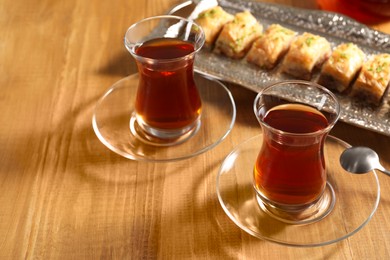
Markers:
130,46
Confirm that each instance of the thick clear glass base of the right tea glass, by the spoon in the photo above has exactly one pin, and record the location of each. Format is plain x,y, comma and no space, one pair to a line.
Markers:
304,214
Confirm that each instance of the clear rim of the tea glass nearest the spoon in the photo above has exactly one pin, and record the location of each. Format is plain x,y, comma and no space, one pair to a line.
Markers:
299,82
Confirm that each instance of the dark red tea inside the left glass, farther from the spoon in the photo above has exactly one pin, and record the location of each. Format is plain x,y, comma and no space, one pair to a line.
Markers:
167,97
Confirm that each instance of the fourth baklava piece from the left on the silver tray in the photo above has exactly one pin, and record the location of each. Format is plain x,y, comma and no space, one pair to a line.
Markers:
306,52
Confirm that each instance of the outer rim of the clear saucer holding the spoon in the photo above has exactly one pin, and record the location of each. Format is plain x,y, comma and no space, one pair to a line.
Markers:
287,243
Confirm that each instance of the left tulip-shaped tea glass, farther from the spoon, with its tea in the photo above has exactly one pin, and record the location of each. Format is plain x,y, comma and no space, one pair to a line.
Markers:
167,105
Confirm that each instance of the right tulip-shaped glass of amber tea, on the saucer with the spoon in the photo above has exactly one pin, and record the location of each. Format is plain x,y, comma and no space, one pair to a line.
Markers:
290,177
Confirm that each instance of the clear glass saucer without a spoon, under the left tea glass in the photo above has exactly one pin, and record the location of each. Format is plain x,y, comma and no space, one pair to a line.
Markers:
112,118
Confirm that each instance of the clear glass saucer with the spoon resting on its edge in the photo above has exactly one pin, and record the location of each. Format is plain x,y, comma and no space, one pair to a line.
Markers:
353,193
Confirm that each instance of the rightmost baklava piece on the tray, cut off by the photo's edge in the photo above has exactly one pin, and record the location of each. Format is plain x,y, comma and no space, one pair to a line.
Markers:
373,79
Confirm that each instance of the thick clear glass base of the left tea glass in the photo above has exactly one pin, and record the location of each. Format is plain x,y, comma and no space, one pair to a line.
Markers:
161,137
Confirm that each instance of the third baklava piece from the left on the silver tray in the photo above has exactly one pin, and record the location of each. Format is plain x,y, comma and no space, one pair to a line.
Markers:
270,47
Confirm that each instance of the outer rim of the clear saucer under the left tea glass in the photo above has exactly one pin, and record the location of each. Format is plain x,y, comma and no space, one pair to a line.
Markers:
136,157
